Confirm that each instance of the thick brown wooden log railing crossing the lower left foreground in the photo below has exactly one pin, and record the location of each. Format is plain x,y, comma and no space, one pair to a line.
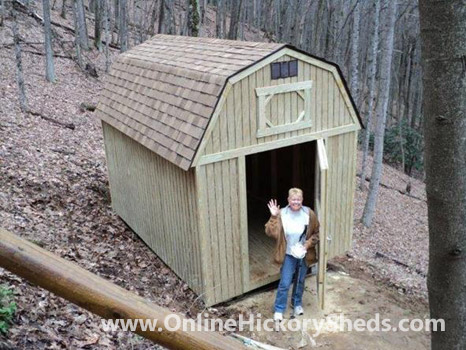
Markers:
100,296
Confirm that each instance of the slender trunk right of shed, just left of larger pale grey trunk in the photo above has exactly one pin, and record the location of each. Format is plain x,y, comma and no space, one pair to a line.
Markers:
370,110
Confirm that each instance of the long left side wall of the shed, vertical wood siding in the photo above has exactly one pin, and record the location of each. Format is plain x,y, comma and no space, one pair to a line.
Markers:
157,200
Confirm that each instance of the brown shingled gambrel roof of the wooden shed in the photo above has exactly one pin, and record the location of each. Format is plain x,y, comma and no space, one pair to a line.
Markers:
163,92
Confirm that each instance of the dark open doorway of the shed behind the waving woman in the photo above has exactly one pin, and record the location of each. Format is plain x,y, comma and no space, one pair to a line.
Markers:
269,175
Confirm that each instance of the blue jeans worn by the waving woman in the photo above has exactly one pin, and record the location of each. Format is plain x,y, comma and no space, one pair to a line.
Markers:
296,268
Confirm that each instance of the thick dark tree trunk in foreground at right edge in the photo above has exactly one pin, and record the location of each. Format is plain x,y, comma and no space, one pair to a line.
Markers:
443,29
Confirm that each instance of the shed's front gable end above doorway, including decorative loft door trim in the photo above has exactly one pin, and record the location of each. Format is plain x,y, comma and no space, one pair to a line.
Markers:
259,110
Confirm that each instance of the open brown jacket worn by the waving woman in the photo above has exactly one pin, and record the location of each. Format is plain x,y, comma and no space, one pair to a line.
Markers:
274,229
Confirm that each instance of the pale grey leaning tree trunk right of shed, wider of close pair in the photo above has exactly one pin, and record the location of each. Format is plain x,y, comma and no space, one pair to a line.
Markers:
387,12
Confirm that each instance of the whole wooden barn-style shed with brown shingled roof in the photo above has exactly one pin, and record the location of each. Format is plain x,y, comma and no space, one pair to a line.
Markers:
200,133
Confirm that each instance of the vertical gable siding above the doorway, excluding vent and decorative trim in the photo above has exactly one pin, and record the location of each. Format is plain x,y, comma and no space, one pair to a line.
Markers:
237,124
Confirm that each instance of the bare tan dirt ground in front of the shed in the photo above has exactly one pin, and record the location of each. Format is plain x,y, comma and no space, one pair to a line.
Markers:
349,297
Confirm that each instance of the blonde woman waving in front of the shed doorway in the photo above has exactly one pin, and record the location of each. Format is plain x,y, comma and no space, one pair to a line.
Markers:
296,230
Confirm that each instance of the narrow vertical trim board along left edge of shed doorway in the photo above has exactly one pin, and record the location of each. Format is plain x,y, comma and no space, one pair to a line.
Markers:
243,216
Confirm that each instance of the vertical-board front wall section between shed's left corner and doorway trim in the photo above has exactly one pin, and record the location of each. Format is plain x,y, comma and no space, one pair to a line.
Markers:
219,188
